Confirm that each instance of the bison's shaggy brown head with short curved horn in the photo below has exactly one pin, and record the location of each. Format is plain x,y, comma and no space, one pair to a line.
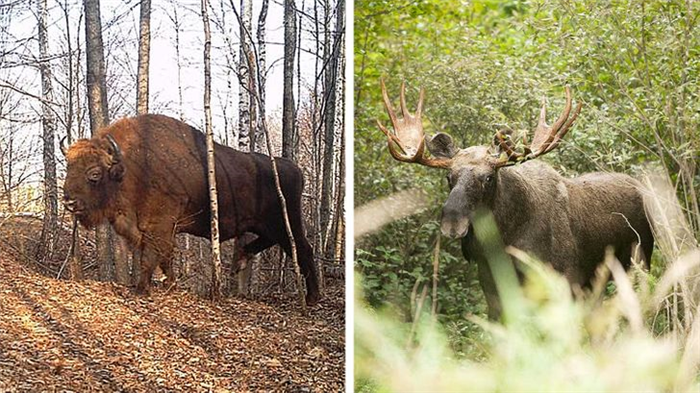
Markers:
94,171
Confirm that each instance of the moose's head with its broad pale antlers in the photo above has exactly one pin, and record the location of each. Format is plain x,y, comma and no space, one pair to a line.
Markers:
473,171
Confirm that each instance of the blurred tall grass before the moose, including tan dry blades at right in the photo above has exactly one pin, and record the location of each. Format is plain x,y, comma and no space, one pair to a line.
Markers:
551,340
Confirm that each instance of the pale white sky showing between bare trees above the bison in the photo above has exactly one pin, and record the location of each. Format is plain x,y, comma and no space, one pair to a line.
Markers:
120,20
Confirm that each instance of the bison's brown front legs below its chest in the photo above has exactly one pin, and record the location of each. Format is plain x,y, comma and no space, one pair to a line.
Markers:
157,250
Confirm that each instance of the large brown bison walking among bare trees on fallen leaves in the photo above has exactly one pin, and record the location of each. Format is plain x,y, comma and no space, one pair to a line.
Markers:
147,176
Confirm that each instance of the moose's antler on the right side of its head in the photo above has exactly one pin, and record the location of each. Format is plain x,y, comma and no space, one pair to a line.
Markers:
546,138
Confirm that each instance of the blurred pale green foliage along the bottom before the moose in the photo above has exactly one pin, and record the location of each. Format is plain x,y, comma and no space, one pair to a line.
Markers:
550,343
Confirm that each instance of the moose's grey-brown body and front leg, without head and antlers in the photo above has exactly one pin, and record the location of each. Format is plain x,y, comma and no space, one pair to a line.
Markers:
566,222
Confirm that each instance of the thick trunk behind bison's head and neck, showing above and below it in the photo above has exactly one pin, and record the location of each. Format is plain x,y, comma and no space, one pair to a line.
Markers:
99,117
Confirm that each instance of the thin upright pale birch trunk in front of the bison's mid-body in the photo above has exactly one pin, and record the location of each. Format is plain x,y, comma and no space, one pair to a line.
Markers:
211,163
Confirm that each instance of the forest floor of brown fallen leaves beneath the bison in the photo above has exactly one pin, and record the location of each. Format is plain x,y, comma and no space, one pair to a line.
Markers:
58,335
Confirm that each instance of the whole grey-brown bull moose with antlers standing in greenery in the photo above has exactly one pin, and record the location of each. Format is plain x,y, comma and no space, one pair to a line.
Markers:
566,222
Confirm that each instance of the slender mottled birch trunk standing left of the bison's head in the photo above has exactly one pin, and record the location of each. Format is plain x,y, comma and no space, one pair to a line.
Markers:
49,228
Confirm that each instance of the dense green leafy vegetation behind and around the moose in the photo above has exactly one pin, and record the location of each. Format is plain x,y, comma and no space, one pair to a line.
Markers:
484,64
